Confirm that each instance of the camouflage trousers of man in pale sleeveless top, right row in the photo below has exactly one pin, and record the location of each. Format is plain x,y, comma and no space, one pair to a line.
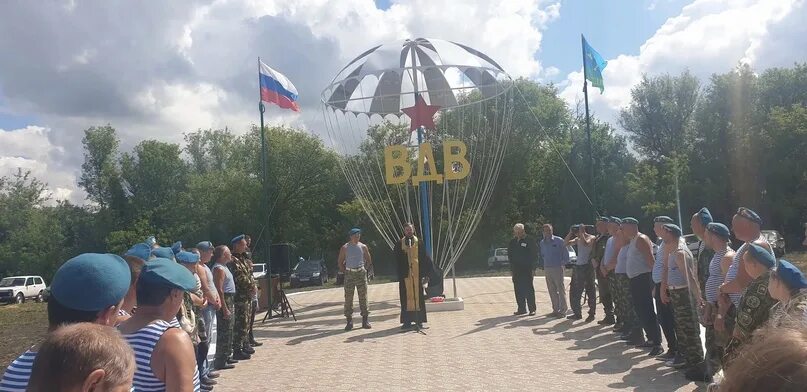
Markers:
687,327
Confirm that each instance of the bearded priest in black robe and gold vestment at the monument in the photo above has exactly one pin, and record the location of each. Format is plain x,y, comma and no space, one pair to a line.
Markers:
414,264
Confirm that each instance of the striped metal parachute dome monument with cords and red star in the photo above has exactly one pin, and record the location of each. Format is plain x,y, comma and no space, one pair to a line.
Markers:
365,109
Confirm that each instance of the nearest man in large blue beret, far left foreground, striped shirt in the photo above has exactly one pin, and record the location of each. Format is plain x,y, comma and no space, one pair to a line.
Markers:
87,288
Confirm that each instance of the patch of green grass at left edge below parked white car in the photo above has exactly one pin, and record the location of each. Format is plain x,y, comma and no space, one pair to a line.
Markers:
23,326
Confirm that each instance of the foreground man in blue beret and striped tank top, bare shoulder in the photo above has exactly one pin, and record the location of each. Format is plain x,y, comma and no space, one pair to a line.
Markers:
170,361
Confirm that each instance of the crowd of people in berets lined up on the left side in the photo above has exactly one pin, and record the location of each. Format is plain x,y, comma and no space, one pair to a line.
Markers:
144,321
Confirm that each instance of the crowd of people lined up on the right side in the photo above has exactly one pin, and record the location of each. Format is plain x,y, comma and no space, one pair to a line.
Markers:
745,298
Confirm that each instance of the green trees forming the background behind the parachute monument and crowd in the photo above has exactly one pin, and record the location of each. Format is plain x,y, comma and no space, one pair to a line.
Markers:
737,140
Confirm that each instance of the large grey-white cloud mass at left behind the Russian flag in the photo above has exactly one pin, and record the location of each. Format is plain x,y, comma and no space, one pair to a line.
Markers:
157,69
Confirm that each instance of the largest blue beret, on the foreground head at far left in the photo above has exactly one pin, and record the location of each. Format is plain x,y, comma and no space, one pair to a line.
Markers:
91,282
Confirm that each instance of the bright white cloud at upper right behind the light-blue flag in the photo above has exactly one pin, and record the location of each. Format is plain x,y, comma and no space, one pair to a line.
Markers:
709,36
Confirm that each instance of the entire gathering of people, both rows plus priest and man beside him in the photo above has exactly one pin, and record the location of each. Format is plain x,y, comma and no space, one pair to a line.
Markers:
143,321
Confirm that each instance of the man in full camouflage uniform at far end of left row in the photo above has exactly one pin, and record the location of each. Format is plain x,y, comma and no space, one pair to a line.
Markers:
244,291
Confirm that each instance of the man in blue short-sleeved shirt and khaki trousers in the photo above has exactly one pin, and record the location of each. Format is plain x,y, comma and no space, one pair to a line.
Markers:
554,256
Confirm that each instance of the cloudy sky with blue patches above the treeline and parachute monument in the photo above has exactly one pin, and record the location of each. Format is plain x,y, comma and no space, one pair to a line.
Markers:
155,70
